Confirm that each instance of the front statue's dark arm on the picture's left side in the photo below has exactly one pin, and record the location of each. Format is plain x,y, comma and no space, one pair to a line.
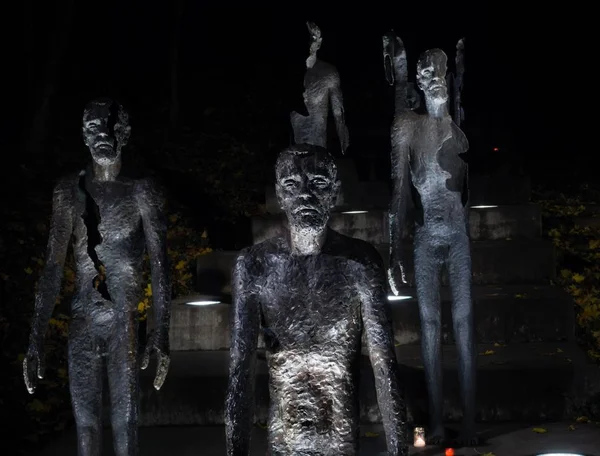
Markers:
239,402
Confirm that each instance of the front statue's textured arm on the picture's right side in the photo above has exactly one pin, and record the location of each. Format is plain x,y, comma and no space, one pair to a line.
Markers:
377,323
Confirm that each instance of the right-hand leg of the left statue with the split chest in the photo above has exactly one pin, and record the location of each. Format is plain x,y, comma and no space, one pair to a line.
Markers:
122,366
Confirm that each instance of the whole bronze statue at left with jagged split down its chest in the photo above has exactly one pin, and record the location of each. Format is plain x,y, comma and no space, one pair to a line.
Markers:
110,219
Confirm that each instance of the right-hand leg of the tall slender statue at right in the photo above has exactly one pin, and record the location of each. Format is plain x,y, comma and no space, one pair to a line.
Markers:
459,274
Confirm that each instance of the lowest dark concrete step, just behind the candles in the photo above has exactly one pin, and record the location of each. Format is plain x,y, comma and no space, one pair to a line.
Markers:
516,382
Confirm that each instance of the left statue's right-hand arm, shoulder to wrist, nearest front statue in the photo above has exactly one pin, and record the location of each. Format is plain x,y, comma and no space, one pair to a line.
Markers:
151,203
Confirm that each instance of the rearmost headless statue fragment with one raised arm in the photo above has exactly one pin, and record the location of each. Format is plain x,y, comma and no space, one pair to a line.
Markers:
322,90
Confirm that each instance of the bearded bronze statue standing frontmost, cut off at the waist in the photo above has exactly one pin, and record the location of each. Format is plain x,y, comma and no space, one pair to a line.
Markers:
313,294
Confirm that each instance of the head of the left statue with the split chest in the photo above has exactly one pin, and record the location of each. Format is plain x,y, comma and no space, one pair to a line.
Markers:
105,130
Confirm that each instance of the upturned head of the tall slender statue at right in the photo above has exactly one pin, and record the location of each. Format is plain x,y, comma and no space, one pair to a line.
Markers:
431,75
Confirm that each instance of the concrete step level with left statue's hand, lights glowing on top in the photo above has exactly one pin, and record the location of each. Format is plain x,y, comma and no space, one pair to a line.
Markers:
508,314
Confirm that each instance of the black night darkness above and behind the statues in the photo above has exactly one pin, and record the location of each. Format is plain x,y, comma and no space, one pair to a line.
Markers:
209,87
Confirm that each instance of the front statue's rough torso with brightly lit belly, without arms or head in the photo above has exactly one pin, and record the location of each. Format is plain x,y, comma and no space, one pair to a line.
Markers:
311,318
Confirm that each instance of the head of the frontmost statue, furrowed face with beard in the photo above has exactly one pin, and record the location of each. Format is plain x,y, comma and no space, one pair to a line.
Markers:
306,185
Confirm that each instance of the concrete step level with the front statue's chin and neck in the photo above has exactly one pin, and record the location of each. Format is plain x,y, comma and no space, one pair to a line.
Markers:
485,223
